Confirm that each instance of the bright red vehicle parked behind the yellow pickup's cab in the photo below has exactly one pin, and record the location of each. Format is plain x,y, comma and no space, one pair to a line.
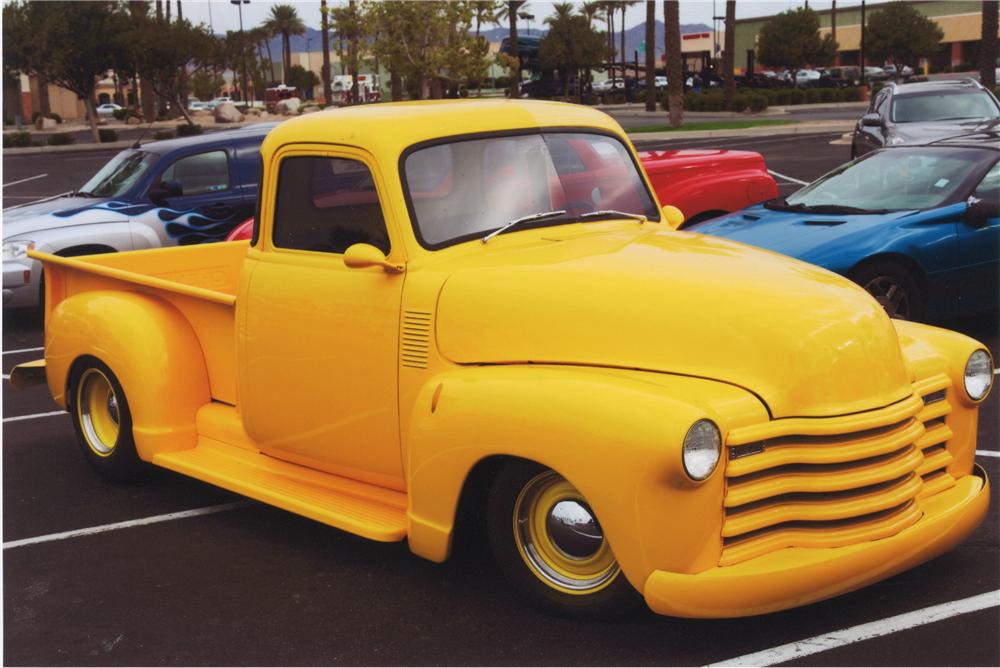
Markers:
702,183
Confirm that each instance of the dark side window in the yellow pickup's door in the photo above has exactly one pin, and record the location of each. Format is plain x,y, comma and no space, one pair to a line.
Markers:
327,205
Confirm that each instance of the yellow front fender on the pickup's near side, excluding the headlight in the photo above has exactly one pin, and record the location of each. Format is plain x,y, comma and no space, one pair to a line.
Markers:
614,434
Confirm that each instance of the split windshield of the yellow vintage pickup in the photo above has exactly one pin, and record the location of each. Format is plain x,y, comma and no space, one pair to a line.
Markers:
468,188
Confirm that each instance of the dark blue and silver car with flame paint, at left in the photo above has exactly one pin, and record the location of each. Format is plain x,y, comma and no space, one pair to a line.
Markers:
179,191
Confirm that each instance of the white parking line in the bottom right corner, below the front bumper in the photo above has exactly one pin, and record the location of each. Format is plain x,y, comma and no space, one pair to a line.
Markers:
882,627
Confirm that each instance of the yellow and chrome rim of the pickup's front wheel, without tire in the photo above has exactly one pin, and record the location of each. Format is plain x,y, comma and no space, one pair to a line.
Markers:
559,538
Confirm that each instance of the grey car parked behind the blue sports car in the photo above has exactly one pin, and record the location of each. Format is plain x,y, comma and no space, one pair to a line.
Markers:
922,112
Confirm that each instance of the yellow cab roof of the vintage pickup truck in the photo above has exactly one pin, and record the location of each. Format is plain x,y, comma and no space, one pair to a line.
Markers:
388,129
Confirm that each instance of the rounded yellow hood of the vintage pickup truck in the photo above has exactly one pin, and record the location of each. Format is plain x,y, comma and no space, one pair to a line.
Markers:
804,340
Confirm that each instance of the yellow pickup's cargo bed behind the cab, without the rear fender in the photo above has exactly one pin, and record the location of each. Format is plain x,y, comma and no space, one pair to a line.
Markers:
200,281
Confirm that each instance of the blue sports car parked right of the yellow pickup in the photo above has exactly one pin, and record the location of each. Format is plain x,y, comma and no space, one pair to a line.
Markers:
916,226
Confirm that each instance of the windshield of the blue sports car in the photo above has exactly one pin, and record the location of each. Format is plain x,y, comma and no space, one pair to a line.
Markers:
894,179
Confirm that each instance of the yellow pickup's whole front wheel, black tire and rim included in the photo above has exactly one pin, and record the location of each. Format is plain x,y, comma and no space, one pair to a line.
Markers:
549,544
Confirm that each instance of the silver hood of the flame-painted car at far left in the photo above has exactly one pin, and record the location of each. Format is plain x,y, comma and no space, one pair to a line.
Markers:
62,212
